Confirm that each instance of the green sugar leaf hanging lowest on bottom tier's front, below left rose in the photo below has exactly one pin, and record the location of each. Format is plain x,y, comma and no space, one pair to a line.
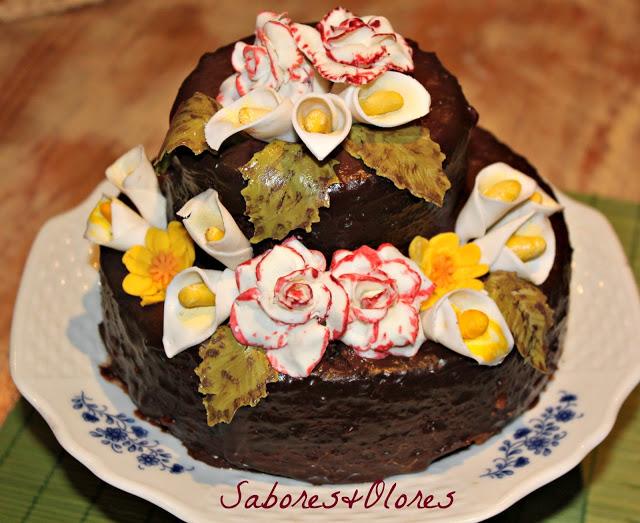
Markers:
231,376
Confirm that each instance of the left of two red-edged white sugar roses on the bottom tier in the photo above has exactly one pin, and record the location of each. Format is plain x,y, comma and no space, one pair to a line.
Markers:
289,306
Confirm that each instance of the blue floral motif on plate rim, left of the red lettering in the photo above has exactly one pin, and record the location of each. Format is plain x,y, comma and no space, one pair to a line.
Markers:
122,434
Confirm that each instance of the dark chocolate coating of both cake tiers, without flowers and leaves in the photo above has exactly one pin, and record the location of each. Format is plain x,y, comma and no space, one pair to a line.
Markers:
352,419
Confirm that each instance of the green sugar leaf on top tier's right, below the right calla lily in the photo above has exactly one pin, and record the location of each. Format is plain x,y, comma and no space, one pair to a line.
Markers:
406,155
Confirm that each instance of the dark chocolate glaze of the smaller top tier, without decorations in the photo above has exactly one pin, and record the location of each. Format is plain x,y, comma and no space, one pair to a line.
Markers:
365,208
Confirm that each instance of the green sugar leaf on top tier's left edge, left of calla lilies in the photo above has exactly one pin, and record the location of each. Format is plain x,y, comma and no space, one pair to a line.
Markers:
187,127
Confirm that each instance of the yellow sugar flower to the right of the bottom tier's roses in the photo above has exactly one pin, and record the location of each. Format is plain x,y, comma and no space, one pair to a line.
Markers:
448,264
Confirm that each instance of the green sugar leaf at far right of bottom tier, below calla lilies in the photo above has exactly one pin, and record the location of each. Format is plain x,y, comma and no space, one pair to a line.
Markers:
526,311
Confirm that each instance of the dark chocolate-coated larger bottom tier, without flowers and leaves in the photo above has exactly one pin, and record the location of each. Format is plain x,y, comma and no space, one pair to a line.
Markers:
352,420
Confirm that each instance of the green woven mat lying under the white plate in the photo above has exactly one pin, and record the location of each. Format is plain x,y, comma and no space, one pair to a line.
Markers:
41,482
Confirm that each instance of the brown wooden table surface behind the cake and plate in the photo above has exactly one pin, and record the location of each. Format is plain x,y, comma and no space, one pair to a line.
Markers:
558,81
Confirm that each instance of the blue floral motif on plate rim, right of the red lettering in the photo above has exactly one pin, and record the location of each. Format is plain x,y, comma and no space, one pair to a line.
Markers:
537,439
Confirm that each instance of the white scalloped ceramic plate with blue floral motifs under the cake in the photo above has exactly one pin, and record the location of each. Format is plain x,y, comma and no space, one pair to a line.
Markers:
56,350
